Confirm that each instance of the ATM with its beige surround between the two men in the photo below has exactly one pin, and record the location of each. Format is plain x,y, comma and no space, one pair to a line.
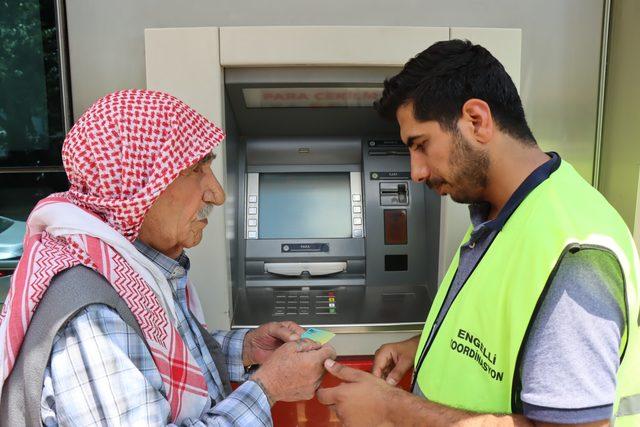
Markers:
322,223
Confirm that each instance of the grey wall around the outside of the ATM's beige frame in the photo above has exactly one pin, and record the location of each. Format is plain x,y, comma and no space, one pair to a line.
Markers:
560,47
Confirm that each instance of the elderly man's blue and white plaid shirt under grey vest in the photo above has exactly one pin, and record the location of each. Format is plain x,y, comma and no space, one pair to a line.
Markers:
102,373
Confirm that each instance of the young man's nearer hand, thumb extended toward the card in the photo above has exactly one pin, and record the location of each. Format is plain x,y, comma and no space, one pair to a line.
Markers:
363,400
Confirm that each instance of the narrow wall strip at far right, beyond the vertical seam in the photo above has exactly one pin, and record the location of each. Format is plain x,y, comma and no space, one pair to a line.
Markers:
621,137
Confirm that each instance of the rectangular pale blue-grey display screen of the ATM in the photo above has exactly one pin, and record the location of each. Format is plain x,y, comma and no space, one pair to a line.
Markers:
304,205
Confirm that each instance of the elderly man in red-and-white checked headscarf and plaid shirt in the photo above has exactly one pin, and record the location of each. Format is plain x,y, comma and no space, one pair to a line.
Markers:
110,327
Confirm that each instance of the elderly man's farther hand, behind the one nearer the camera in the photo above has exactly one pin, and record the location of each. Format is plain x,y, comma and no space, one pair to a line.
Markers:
260,343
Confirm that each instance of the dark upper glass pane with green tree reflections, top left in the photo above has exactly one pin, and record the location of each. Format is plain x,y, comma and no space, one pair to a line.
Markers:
31,113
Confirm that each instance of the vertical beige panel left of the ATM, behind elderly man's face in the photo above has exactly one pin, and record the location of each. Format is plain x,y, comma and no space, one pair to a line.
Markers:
185,62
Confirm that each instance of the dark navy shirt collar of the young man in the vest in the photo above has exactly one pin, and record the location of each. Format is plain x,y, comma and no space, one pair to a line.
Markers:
480,211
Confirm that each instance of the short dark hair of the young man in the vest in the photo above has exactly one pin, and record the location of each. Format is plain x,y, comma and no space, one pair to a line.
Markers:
440,79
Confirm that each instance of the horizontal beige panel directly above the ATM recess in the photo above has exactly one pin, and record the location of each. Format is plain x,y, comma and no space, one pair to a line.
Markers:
329,46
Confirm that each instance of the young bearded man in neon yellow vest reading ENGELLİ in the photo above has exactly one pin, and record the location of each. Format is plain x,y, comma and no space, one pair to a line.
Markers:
536,321
